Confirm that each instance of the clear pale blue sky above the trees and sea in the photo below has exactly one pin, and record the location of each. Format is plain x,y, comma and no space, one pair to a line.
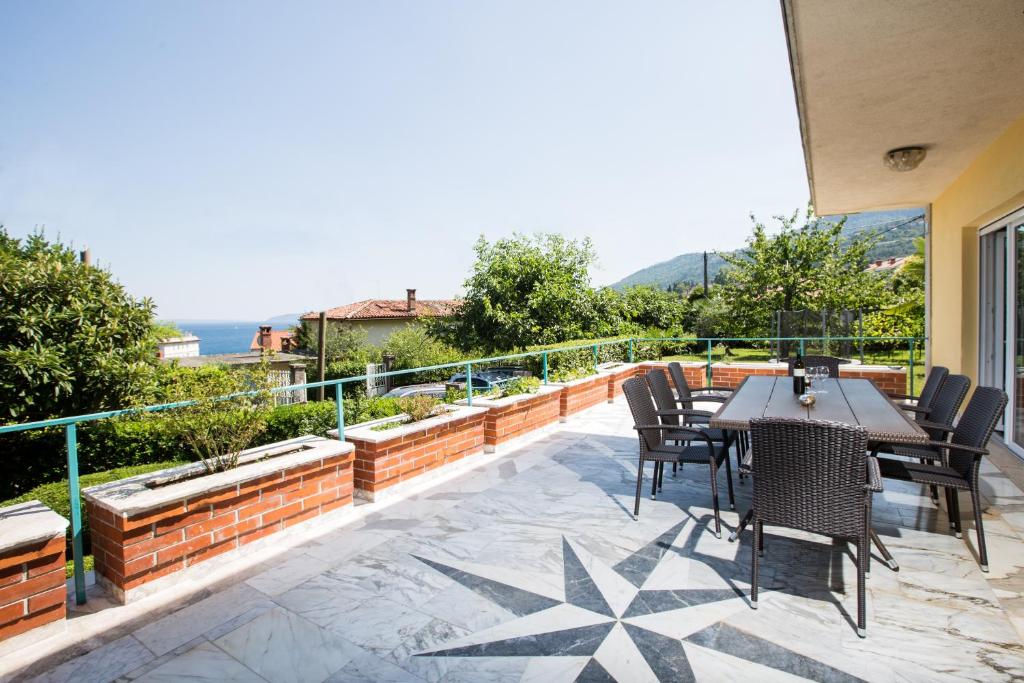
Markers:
241,160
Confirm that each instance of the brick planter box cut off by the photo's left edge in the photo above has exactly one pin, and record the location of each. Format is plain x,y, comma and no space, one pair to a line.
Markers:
33,588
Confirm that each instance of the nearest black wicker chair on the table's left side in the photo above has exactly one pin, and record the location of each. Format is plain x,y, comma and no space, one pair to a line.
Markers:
659,444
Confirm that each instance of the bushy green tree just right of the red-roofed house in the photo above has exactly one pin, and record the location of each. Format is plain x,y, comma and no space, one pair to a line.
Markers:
524,291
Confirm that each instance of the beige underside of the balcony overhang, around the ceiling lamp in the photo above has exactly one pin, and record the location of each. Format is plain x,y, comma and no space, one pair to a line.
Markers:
873,76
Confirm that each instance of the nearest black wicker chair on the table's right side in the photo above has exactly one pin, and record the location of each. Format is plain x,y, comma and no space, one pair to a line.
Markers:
960,461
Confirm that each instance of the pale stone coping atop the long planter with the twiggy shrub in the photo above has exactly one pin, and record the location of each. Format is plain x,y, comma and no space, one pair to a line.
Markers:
133,496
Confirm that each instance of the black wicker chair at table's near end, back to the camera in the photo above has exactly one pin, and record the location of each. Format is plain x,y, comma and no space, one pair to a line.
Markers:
815,477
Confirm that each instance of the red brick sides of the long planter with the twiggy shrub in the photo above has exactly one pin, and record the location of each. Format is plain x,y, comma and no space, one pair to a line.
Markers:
133,551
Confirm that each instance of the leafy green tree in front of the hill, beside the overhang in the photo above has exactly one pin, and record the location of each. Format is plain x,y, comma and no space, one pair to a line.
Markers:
803,267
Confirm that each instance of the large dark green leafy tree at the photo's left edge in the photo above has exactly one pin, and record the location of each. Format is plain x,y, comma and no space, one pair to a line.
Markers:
72,339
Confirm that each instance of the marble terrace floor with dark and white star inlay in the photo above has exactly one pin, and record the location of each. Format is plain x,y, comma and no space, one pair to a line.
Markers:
530,568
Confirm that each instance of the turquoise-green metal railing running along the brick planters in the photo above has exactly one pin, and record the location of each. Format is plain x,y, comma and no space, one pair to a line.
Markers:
71,423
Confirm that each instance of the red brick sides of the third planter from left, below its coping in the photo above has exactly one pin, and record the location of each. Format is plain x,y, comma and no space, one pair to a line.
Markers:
383,464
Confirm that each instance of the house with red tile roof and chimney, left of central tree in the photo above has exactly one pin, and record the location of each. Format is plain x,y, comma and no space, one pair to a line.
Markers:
380,318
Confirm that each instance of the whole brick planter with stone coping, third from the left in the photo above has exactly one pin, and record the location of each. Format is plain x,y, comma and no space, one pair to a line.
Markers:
400,455
